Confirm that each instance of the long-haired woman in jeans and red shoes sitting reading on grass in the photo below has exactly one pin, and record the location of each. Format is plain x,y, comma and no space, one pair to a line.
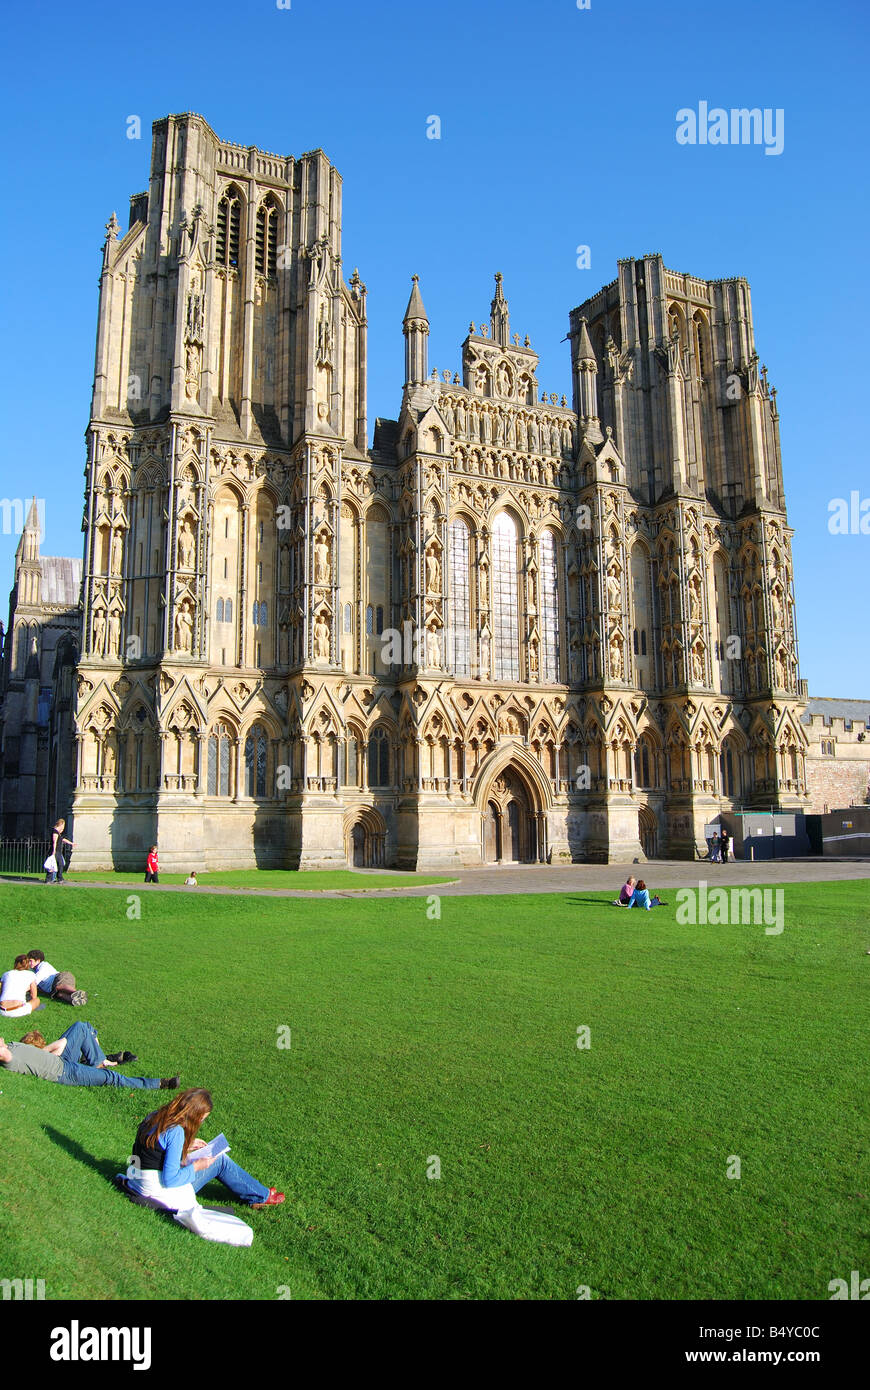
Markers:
170,1164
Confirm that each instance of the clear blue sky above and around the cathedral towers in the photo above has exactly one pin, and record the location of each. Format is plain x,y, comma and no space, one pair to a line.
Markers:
558,130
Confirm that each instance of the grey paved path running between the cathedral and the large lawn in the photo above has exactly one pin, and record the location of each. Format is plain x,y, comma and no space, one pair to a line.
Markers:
530,879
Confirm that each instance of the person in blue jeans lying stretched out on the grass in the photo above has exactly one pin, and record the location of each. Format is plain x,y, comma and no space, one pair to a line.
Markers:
76,1060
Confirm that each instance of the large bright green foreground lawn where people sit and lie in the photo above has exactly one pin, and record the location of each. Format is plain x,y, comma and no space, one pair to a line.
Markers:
458,1039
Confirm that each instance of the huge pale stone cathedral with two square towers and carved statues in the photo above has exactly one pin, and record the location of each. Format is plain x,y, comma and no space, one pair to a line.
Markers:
516,629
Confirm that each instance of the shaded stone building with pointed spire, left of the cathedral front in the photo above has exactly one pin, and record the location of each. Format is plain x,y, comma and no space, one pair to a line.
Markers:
41,648
